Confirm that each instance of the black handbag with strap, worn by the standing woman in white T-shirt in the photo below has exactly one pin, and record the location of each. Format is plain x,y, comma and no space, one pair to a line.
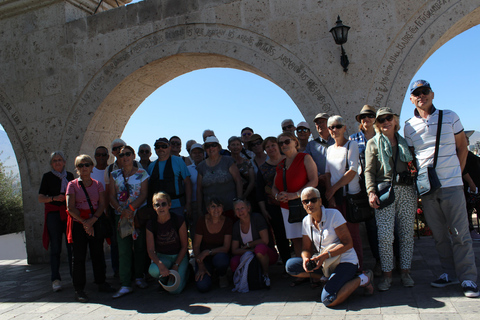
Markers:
358,206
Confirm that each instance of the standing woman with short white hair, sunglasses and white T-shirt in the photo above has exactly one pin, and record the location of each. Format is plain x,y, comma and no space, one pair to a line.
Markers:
342,177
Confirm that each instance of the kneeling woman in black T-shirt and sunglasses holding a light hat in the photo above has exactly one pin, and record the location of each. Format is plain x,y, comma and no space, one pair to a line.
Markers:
167,241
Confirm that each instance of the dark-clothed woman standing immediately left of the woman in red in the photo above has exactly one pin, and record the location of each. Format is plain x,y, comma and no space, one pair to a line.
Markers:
269,207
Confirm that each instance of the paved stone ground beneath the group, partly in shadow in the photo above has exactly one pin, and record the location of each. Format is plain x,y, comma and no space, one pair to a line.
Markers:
25,293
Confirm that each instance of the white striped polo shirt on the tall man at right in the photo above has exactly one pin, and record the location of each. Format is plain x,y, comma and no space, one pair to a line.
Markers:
421,134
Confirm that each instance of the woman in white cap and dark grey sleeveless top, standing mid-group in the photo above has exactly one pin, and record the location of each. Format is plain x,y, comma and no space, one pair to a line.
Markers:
218,176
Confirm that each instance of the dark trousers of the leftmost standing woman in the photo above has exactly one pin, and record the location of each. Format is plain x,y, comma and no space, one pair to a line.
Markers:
56,229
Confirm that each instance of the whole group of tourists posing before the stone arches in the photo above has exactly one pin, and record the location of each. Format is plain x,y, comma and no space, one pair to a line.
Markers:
250,204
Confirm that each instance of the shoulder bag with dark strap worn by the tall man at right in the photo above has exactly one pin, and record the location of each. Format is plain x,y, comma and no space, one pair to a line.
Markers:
427,179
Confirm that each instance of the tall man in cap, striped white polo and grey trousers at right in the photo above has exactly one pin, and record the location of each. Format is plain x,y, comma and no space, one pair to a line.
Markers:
444,208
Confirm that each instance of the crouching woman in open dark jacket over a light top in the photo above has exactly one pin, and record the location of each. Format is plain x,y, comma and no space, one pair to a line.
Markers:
250,233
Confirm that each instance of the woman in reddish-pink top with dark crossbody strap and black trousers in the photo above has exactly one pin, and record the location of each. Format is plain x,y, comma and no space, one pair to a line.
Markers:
86,203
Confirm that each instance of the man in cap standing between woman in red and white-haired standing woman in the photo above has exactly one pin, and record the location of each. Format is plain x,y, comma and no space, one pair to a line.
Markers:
317,148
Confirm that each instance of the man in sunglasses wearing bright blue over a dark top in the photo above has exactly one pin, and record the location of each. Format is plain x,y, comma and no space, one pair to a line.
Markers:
170,174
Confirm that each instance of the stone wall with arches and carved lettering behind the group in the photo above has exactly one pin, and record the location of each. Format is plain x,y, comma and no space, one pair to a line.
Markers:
71,80
